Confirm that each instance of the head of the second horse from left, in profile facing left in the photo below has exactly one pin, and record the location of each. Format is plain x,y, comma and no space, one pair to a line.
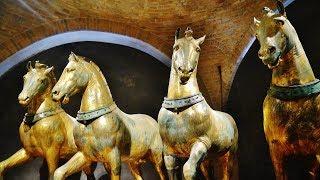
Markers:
74,77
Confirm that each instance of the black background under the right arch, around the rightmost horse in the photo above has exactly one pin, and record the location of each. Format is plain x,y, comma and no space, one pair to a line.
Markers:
249,88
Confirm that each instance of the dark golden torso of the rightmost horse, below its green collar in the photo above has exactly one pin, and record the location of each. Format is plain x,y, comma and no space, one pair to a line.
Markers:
294,127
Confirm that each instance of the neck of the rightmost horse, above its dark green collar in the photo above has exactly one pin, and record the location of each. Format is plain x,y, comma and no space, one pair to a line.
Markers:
294,67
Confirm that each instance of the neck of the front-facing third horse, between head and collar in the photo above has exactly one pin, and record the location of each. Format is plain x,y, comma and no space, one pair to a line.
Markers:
177,90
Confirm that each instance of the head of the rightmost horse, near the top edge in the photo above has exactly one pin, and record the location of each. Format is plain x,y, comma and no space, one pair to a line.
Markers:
275,34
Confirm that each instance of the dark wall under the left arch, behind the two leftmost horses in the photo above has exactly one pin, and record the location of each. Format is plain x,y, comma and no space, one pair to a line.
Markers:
138,83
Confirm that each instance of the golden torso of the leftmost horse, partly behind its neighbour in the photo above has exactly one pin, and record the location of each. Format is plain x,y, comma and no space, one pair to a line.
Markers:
58,127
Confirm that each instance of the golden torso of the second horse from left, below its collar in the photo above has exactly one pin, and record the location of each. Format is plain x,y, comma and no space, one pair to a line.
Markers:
118,129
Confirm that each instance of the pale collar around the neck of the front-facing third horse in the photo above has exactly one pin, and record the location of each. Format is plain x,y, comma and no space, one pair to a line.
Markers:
182,102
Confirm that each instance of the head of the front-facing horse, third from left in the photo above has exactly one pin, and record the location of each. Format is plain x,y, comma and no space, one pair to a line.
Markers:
185,55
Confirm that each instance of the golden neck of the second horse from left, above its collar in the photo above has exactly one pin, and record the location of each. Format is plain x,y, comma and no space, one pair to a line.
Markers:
97,93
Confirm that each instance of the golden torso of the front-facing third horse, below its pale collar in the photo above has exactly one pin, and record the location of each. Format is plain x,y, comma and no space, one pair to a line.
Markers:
198,122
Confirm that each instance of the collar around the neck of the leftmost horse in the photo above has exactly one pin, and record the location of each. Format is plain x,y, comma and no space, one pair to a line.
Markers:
33,118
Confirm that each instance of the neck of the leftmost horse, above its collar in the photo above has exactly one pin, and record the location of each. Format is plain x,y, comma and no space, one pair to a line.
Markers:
43,101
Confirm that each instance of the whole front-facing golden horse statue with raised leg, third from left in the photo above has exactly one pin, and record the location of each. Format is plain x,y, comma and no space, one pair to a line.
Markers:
188,126
